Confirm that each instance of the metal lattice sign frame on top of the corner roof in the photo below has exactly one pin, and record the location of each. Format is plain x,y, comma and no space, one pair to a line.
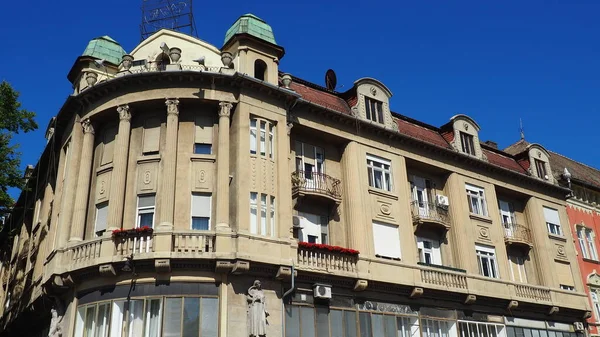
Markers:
170,14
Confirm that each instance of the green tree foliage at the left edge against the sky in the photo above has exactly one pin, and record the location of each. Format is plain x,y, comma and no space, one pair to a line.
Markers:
13,119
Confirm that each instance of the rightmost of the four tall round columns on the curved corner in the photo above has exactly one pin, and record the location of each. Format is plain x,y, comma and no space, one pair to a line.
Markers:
222,214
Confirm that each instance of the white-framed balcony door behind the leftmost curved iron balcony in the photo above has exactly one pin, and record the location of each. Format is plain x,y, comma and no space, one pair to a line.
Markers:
310,164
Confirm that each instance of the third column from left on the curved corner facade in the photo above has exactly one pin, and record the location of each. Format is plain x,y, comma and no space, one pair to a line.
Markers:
169,166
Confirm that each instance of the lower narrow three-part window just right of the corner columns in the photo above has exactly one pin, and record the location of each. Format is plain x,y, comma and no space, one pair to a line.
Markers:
266,226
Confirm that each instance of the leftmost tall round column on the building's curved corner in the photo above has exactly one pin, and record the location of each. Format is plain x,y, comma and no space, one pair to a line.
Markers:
83,182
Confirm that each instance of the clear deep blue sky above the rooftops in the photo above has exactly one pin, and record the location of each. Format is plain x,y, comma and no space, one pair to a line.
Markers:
496,61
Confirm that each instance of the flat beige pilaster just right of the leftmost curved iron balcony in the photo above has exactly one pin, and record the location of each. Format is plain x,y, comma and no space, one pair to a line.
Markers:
353,198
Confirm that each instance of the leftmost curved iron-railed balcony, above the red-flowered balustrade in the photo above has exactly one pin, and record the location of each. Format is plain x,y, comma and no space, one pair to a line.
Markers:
315,184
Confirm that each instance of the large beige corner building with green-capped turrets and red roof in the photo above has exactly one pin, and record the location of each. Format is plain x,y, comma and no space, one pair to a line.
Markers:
175,179
